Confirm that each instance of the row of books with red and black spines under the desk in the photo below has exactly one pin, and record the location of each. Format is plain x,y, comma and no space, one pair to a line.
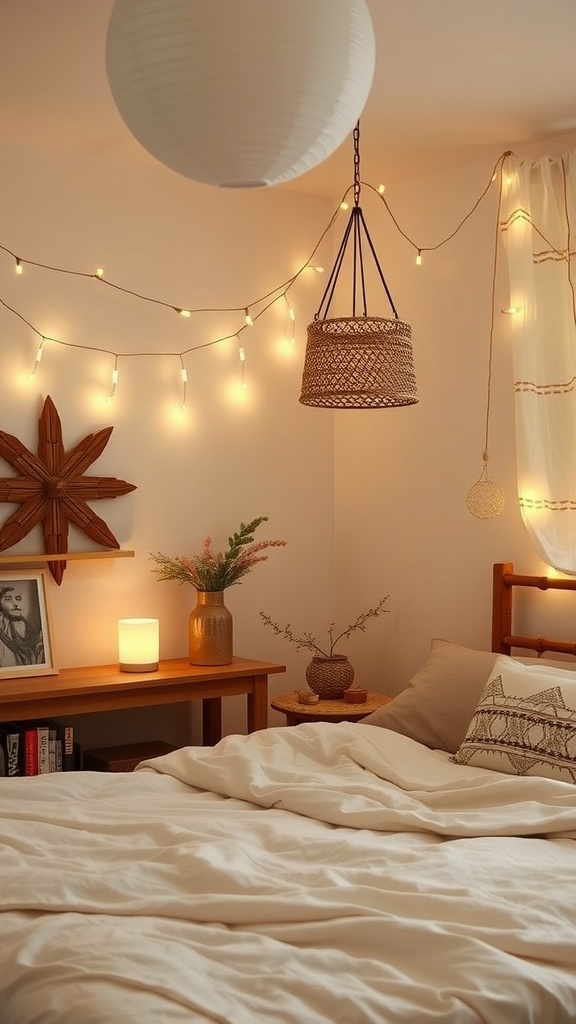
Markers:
37,747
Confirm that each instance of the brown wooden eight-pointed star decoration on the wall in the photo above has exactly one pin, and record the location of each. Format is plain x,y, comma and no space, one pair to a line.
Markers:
53,488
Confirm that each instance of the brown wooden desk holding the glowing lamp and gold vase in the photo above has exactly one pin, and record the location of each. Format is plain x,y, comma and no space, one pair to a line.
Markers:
79,692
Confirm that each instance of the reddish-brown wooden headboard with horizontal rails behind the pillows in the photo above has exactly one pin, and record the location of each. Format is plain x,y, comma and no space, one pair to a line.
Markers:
505,581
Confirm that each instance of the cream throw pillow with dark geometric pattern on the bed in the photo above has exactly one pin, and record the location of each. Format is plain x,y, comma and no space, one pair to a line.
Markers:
525,723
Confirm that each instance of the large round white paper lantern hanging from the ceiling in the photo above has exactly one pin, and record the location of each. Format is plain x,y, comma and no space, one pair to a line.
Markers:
240,94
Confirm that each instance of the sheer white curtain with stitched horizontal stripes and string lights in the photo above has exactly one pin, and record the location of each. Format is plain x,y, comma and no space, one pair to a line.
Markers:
539,229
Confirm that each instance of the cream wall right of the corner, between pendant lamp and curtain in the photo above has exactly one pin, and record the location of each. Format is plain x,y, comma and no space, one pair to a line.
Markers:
402,476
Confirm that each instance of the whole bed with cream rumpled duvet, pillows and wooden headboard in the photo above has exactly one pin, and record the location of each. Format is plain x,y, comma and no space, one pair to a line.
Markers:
418,867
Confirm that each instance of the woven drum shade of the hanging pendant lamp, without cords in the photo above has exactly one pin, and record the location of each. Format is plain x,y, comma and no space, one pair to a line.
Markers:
359,363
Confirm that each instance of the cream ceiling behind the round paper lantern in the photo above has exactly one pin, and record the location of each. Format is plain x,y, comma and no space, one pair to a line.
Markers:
457,81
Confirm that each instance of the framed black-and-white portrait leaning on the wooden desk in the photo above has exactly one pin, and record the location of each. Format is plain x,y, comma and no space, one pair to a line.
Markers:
26,632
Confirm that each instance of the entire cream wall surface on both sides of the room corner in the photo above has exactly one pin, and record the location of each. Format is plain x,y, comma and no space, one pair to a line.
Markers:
381,492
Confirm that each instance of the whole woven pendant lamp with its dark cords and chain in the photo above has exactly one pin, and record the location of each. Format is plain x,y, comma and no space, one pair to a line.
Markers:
358,362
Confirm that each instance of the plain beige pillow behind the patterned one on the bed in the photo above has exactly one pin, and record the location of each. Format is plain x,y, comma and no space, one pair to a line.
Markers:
437,706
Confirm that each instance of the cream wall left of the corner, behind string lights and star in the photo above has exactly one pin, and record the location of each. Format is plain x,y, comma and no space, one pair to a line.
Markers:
232,457
